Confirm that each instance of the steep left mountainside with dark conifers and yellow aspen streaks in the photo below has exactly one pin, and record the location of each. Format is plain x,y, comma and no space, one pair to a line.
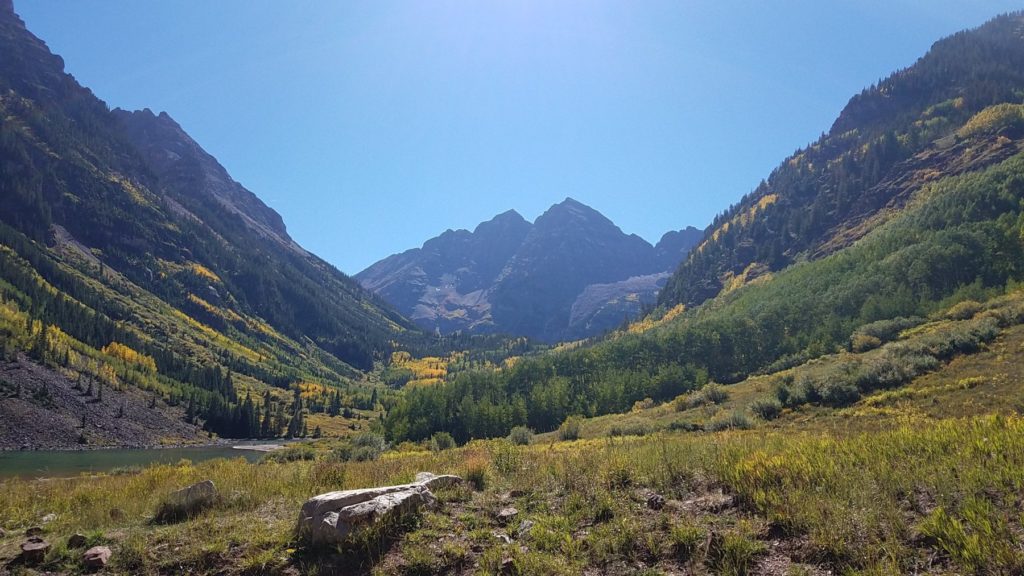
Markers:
131,259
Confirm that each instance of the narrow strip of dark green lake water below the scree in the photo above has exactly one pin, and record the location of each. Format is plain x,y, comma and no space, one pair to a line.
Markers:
62,464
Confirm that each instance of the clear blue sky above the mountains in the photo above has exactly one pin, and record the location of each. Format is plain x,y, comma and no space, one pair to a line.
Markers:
374,126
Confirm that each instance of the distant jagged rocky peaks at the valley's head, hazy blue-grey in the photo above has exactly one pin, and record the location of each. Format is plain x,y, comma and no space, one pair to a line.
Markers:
571,274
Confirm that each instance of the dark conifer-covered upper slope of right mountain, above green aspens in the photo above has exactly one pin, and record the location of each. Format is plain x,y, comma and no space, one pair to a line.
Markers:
888,141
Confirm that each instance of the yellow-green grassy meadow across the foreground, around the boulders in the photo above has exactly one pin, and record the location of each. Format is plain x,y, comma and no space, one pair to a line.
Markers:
944,498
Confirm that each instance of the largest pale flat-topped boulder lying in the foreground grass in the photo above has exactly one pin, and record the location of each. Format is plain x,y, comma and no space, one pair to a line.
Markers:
334,518
